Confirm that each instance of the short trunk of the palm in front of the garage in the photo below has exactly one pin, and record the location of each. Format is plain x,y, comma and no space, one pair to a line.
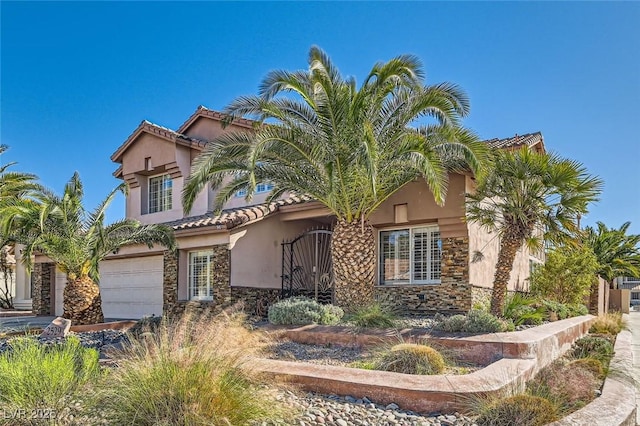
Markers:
82,301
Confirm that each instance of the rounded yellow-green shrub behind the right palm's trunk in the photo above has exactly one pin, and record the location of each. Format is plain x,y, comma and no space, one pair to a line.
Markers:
566,276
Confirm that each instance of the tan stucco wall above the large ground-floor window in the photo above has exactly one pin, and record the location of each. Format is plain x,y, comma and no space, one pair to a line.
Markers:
422,208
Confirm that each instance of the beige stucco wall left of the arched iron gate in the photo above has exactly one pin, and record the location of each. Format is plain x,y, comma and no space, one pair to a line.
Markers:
256,255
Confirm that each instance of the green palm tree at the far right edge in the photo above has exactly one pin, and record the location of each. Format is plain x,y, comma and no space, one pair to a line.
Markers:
618,253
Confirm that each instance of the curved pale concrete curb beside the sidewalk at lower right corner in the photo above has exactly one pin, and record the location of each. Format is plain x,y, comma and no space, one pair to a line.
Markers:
617,404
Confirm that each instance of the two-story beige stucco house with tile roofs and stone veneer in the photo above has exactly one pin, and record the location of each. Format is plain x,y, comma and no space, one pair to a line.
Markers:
255,252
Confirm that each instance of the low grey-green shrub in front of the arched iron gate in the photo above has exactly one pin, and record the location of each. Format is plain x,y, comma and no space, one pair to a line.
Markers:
301,311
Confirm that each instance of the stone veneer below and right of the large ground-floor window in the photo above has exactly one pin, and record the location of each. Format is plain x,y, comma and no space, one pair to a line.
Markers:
452,295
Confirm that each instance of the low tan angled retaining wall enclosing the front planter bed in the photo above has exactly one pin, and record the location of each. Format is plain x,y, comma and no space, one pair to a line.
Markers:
522,354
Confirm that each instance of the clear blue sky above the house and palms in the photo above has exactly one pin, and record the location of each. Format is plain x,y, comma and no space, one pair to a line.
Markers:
77,78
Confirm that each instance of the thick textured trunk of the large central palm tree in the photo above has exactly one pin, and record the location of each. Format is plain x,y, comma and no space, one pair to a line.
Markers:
354,264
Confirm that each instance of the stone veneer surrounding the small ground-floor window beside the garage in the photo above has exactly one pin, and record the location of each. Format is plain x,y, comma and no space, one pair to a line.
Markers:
220,278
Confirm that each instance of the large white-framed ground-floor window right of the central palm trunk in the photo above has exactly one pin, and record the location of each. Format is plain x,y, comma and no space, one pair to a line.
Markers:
410,256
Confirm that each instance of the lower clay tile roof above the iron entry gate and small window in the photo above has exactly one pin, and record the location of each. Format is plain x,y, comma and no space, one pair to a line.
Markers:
232,218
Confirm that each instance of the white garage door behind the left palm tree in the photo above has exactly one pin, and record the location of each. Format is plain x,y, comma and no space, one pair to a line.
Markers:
131,288
